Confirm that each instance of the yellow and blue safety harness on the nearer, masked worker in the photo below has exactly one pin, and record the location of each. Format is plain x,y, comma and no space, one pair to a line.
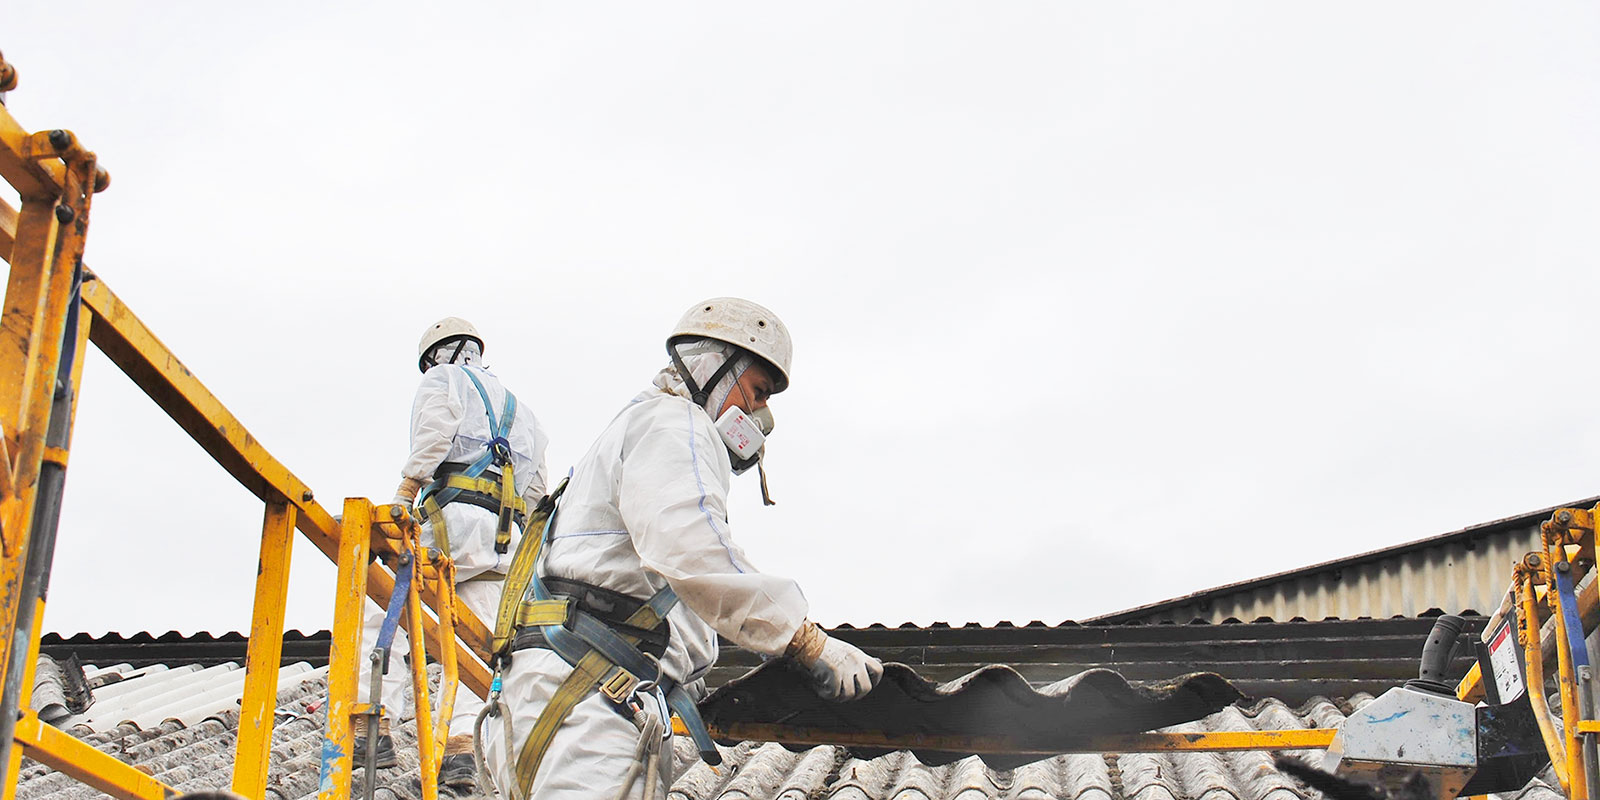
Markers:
614,644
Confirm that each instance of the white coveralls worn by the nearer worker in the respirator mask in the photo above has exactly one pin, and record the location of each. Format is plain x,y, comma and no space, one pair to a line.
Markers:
647,508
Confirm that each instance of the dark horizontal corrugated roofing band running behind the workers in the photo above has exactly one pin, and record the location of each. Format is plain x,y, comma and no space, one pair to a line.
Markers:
1289,660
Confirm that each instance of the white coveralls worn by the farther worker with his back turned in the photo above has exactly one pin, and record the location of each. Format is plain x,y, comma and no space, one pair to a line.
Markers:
449,426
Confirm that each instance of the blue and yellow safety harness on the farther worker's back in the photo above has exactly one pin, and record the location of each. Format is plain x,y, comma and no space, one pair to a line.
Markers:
466,482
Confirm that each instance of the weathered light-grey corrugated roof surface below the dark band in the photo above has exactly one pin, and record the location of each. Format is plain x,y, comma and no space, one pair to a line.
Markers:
199,756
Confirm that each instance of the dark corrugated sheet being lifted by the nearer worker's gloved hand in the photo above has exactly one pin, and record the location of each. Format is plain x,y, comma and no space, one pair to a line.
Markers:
993,713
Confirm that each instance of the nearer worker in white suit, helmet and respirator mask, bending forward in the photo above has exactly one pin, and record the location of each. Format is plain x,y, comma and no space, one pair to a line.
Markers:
647,511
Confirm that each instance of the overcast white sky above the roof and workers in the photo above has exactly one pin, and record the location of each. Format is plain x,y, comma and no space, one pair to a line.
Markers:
1094,305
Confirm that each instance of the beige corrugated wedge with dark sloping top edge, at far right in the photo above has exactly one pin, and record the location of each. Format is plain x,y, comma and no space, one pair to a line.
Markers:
1465,570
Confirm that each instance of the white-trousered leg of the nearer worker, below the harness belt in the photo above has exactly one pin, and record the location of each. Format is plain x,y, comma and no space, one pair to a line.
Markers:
593,751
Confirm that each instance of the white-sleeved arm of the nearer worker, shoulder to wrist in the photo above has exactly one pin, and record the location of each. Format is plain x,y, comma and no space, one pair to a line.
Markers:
674,498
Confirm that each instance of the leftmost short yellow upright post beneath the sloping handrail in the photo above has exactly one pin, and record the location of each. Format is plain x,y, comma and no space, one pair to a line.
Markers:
266,650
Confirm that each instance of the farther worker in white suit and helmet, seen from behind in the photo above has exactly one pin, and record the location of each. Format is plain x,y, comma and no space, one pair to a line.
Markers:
458,423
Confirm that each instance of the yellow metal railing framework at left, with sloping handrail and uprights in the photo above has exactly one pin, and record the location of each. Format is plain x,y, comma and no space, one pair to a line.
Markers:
49,290
